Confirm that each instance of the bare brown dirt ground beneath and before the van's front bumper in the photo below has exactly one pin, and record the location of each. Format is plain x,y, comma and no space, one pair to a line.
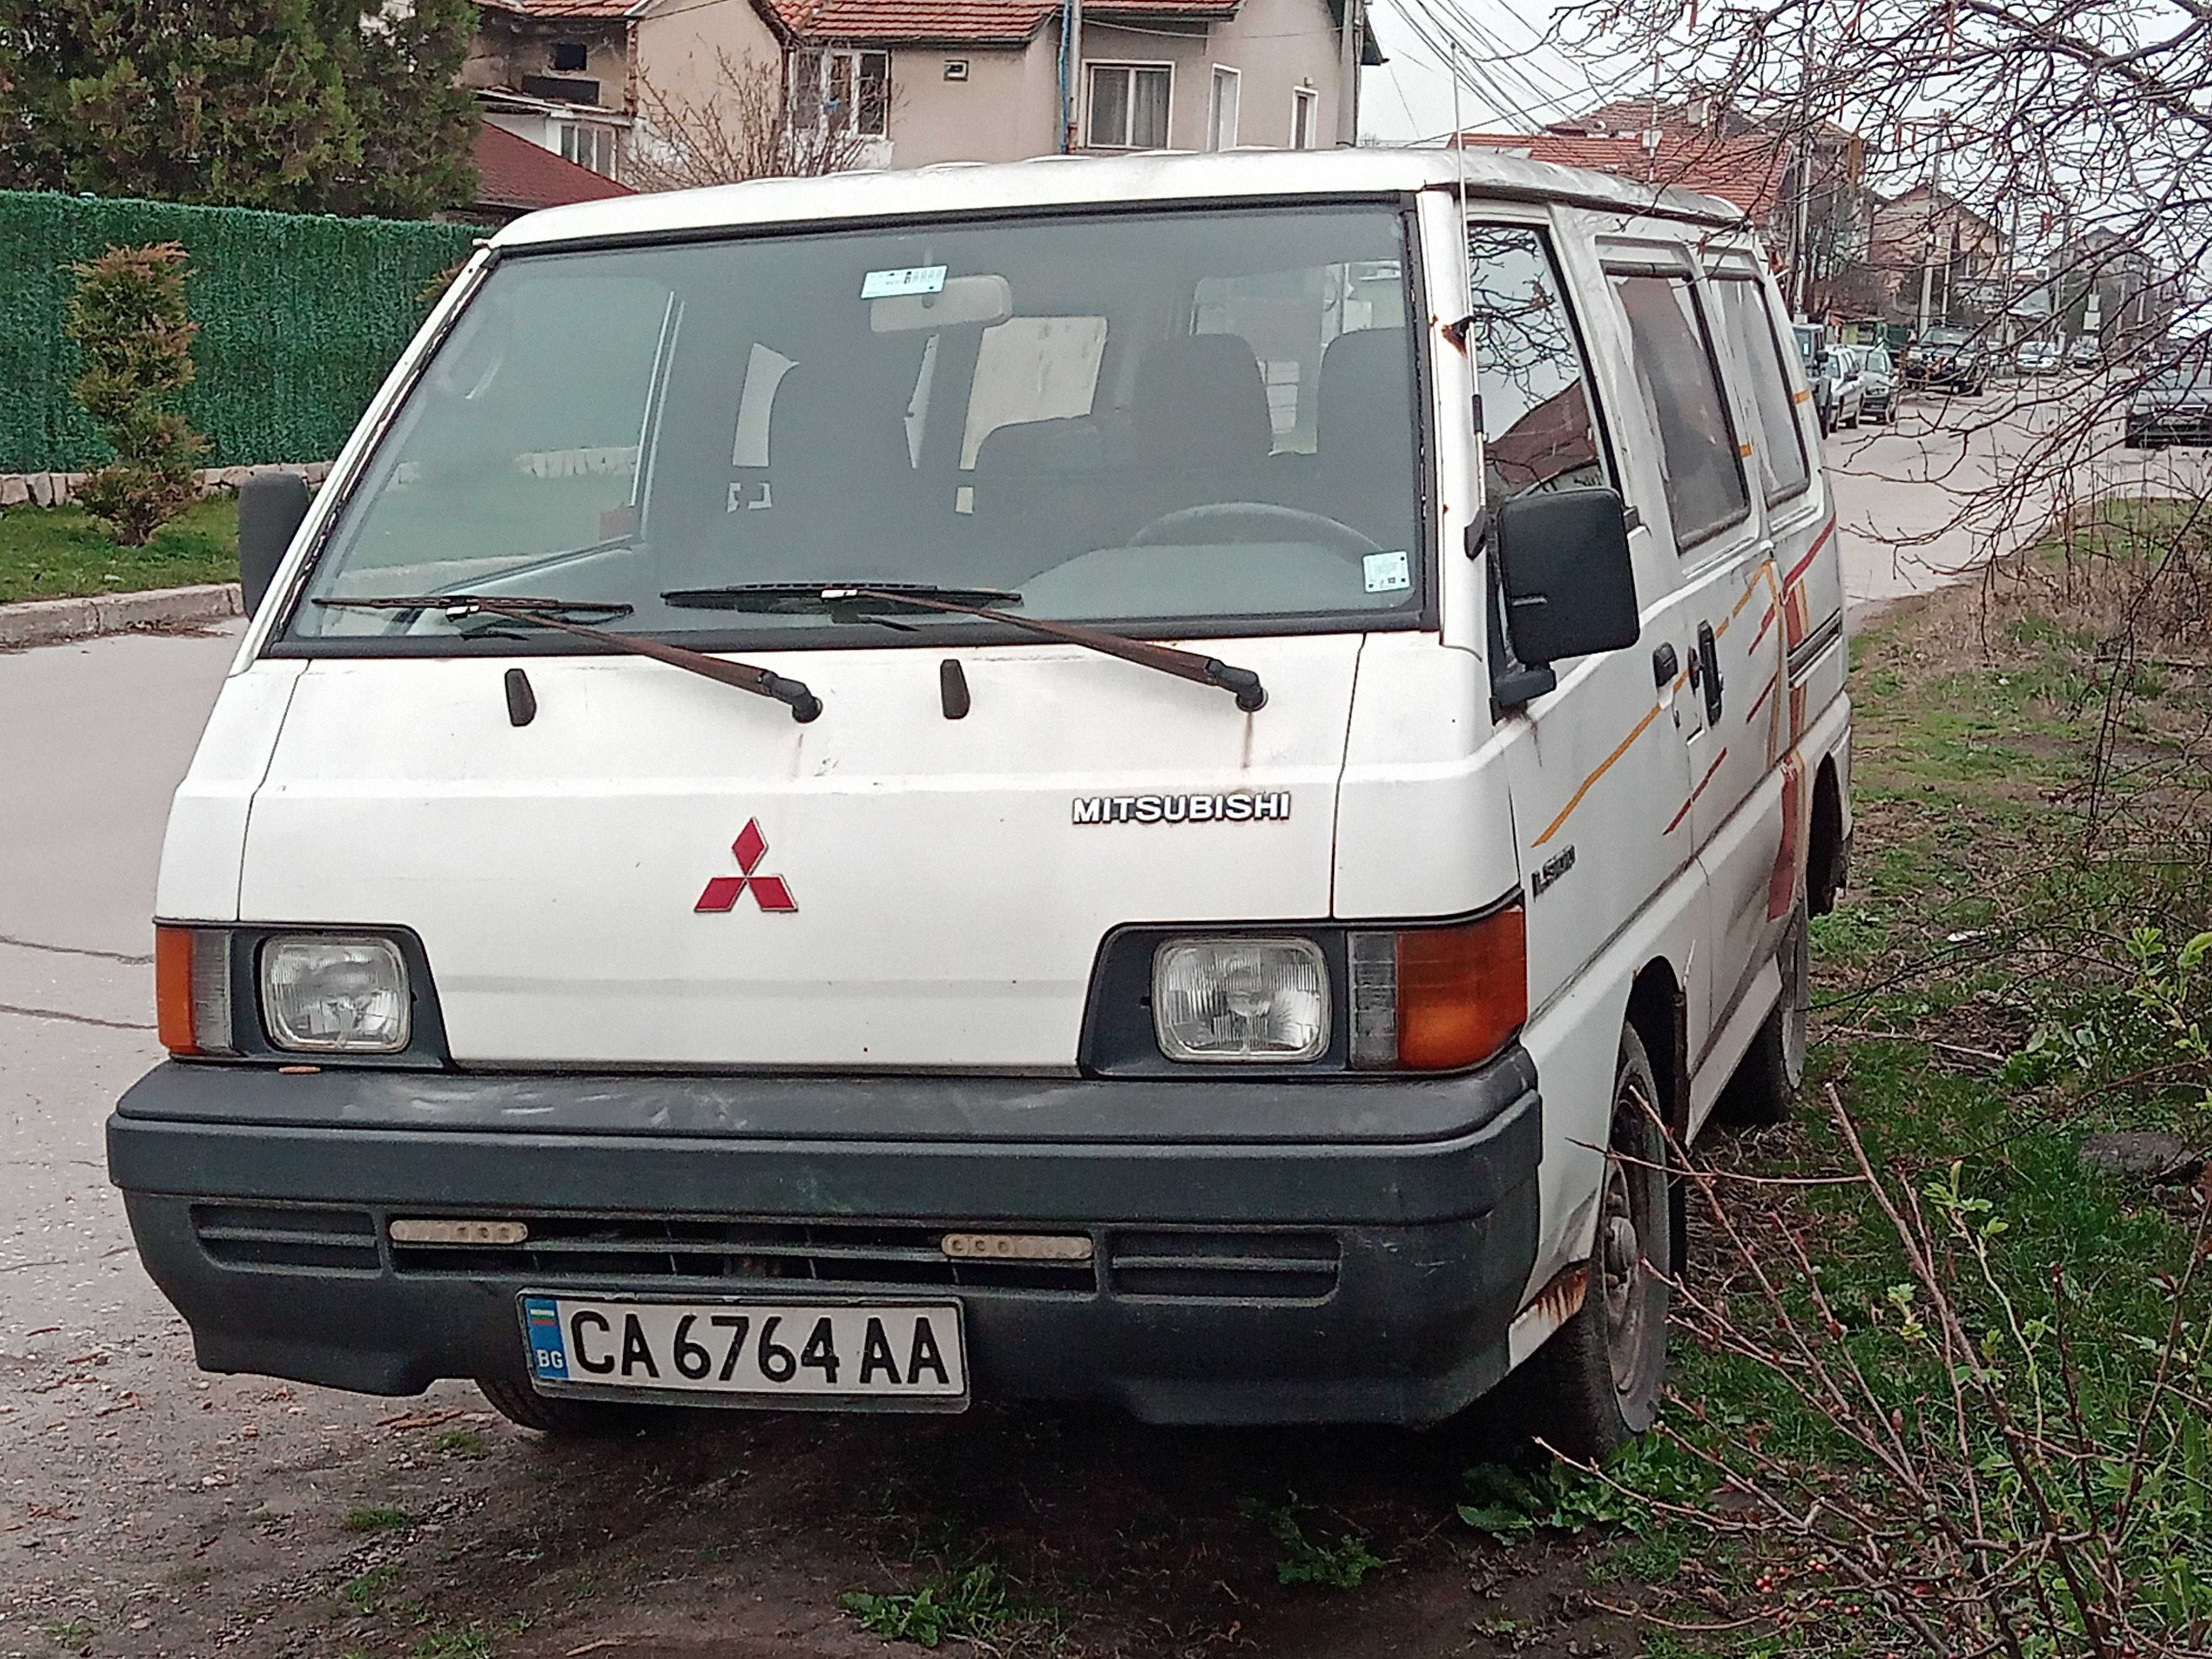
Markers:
140,1516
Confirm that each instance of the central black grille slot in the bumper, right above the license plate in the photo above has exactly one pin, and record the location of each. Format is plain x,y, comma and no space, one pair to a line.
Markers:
609,1249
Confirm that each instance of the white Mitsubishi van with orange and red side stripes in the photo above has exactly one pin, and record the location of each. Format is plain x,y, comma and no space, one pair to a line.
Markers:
1078,780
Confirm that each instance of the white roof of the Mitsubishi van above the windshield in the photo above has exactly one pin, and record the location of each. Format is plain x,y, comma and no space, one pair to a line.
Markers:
1063,180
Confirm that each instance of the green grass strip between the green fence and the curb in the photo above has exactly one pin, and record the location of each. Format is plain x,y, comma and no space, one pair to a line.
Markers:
65,554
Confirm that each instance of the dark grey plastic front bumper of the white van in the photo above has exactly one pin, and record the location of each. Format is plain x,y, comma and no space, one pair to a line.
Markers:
1262,1253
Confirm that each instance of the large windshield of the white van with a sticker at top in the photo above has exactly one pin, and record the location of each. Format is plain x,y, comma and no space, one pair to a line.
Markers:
1145,419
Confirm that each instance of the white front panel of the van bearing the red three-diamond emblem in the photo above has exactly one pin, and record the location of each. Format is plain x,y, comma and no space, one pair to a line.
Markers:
660,870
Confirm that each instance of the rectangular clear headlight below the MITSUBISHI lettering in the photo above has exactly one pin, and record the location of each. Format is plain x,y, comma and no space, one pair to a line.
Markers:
1242,999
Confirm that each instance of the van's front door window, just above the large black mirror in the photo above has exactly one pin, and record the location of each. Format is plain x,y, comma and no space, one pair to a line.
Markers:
1536,406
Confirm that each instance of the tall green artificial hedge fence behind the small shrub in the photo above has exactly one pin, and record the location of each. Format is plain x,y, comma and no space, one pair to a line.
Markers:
300,320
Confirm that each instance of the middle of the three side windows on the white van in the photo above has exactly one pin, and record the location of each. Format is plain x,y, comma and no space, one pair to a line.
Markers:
1682,390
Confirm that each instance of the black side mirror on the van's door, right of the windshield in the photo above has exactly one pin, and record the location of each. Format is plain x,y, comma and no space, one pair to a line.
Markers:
1563,565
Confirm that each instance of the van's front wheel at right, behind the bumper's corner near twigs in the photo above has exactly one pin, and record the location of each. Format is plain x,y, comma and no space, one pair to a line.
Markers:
1596,1384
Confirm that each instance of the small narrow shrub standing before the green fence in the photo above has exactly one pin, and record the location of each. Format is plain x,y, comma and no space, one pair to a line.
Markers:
129,322
